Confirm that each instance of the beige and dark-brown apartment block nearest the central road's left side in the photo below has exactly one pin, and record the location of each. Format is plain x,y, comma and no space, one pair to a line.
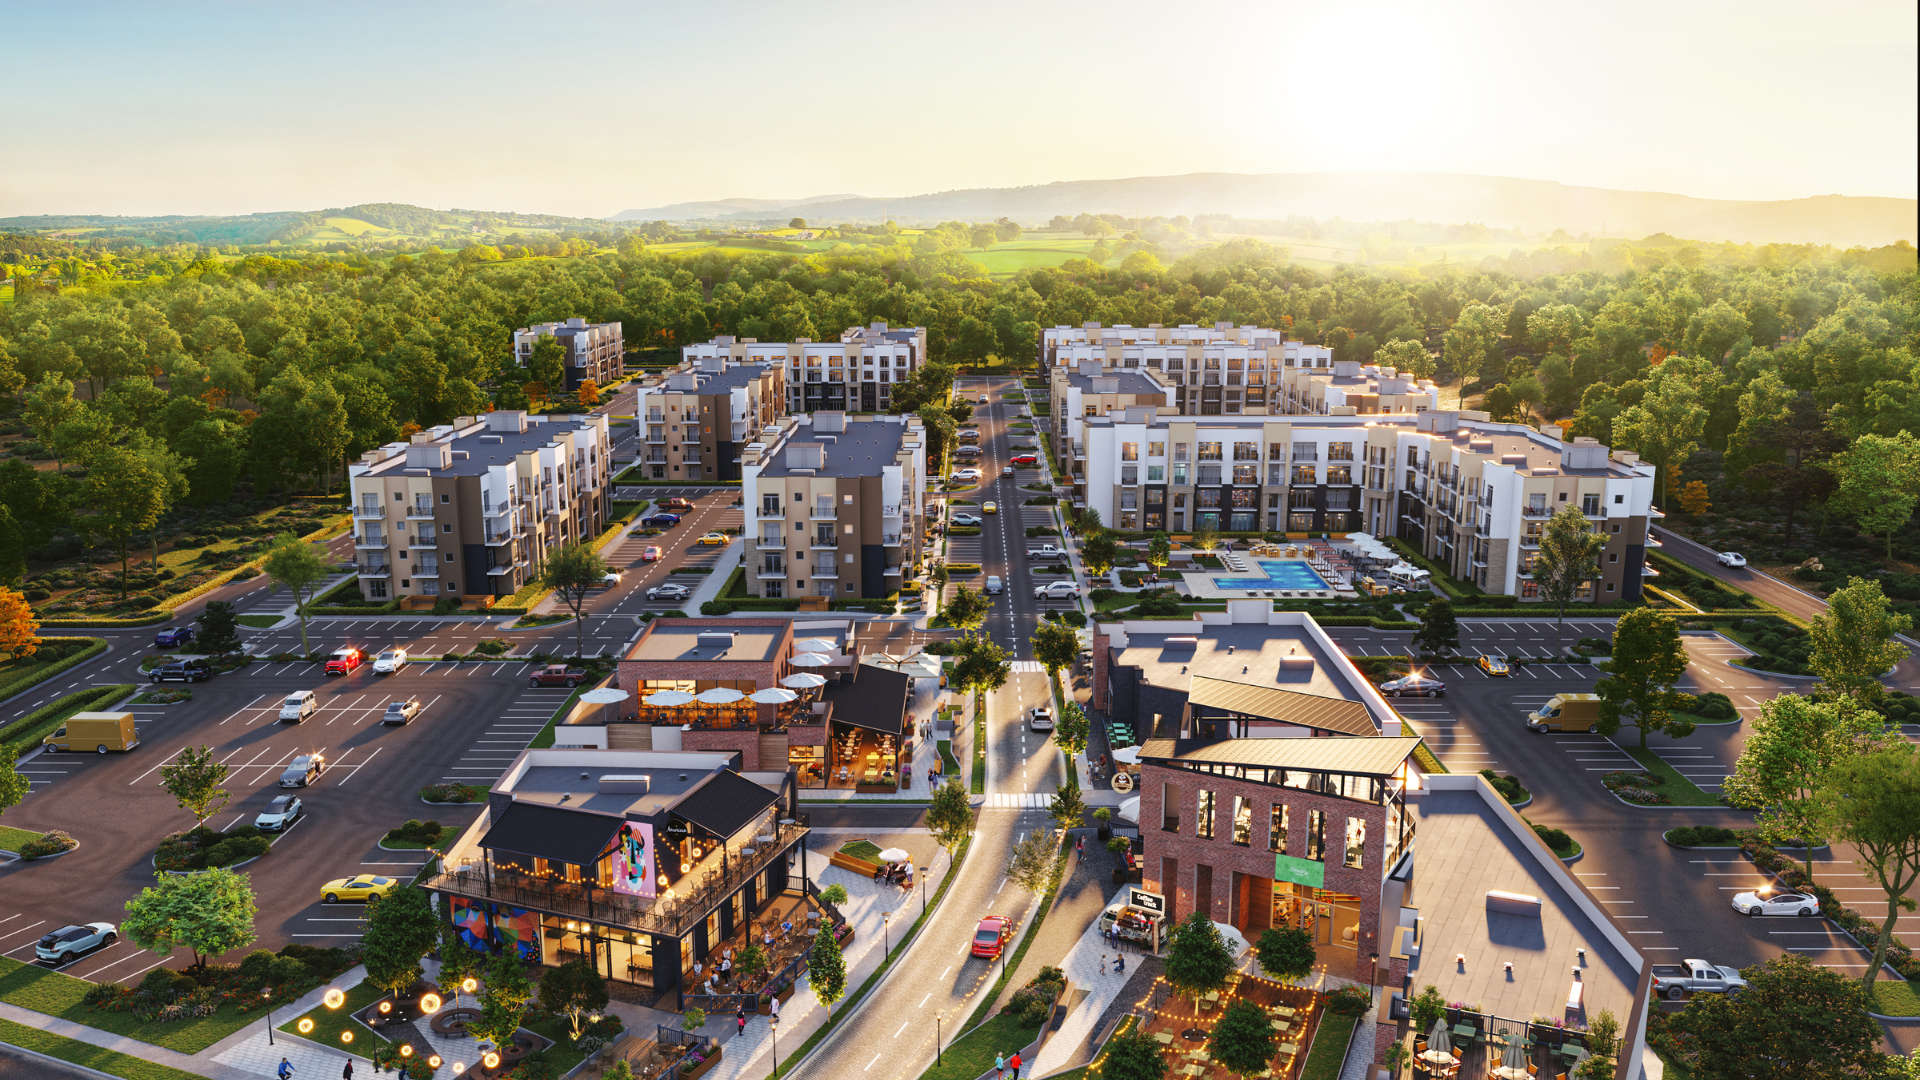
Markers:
834,506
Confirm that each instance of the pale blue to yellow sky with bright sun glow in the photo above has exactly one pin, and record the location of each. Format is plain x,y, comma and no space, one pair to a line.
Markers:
590,109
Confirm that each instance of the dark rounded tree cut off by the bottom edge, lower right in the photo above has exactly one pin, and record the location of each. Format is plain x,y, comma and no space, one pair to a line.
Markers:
1794,1019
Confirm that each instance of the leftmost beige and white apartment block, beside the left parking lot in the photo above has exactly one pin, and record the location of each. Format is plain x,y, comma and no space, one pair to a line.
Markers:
473,508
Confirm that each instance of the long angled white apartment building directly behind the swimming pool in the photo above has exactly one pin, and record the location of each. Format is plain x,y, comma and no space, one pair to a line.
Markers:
1468,493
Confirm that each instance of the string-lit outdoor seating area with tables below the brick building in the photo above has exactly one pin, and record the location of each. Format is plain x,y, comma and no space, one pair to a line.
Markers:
1184,1033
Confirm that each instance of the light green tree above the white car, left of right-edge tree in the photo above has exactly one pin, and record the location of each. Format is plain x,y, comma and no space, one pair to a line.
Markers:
1783,770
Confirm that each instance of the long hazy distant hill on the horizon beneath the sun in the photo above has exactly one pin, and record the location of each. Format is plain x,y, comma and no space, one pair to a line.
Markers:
1502,203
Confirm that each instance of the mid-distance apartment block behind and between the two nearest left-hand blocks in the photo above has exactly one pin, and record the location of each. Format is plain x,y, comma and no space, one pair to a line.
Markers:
696,422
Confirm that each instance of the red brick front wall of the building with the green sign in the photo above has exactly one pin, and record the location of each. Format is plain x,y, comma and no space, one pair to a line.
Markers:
1257,860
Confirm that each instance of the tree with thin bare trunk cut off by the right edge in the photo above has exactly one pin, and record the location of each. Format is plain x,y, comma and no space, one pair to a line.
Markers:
1877,808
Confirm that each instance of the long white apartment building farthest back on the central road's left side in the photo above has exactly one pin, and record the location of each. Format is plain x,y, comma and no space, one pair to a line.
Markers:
857,374
